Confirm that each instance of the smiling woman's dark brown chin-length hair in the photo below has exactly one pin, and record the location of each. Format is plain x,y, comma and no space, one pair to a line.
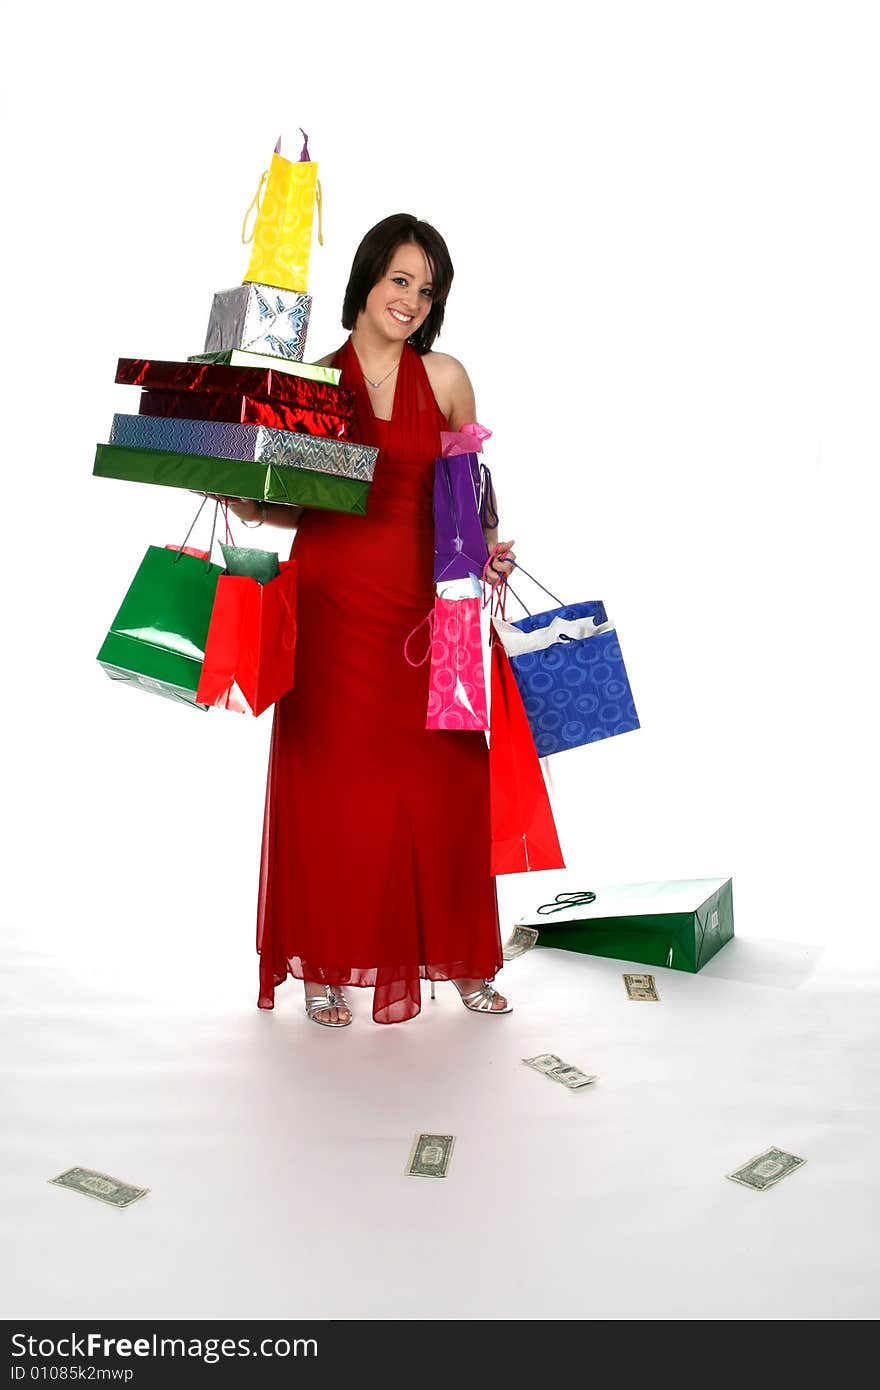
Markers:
373,258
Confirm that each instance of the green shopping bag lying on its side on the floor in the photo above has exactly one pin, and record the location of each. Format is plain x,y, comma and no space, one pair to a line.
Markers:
681,924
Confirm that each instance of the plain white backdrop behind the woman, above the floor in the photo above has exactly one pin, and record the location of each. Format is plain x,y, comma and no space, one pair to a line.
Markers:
665,229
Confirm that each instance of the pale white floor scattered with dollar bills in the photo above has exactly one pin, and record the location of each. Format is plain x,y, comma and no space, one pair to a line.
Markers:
276,1152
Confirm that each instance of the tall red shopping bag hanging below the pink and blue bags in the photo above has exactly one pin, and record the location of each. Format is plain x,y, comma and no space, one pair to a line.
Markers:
523,832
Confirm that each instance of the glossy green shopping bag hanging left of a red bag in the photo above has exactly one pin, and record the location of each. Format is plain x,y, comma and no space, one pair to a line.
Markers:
156,641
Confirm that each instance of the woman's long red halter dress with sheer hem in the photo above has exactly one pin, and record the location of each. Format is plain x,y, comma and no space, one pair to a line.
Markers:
376,839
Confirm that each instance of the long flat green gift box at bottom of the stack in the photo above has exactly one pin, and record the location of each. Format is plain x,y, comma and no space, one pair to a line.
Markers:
233,477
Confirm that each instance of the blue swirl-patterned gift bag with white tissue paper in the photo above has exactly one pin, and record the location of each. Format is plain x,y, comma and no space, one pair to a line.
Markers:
576,692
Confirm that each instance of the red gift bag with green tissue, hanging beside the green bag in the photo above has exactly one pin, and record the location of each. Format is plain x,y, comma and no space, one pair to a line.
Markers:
251,643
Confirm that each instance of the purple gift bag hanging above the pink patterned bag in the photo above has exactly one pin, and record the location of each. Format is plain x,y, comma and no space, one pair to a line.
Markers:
459,546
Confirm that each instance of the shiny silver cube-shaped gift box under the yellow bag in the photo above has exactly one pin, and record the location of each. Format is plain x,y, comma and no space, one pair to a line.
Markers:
259,319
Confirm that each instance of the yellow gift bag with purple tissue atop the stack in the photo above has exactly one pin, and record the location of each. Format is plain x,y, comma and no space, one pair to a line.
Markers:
282,236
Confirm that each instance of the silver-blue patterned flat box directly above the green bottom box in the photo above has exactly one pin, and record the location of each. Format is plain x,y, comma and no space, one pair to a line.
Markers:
251,444
